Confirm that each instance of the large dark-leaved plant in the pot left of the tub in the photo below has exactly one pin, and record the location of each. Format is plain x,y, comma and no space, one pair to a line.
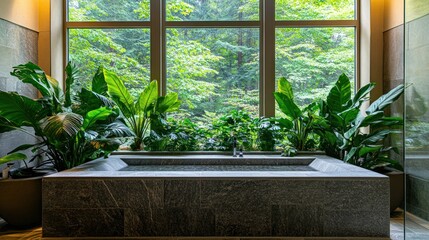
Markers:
65,136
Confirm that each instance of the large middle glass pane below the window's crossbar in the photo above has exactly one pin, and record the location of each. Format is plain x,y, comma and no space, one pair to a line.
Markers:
214,70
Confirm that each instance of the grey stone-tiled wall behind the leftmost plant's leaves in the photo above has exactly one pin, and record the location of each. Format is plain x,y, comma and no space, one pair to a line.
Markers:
17,45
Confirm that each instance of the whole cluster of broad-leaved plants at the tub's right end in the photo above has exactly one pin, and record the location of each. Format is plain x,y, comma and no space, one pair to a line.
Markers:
345,132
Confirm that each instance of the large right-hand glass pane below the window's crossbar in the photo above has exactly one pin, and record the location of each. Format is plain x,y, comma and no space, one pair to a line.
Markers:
312,59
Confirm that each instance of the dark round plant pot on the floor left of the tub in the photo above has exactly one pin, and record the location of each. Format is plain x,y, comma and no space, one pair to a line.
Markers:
21,201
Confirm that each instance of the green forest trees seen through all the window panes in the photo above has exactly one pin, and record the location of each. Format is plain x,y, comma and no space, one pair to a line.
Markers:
215,70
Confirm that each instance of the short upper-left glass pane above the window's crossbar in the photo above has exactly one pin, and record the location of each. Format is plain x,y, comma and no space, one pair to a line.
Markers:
108,10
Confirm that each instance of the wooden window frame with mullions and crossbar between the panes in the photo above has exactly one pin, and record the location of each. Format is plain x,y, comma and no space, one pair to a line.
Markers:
266,24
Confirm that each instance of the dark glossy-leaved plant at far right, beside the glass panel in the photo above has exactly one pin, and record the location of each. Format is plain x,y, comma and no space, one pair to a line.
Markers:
345,132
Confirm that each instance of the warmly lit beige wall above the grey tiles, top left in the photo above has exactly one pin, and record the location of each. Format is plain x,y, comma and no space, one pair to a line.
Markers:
22,12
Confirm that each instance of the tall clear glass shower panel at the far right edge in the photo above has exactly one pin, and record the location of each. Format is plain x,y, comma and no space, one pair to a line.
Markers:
416,119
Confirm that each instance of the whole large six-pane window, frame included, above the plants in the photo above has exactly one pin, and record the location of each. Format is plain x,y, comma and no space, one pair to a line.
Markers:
219,55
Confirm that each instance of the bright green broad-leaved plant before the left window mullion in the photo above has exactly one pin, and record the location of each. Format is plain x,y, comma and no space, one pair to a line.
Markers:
138,113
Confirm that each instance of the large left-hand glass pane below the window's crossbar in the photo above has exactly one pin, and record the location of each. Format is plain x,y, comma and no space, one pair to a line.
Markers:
124,51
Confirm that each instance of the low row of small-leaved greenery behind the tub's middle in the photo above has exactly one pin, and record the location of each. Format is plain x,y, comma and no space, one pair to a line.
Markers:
251,134
